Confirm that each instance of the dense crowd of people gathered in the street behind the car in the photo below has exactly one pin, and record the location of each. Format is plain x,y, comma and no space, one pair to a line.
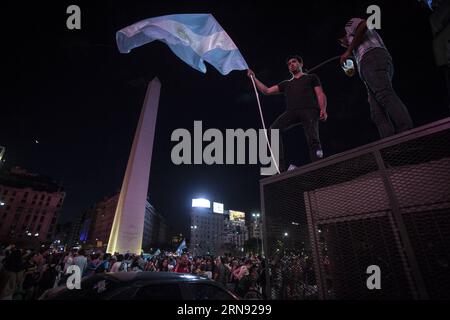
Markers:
27,274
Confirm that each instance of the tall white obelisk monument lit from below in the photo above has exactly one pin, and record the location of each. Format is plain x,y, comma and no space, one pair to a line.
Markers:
128,226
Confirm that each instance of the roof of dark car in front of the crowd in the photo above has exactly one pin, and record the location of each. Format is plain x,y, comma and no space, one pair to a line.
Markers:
143,286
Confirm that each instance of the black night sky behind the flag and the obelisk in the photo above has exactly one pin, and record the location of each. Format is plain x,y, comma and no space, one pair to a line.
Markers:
80,98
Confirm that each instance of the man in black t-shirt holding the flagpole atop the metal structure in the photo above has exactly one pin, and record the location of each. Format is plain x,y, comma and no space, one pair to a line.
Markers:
306,104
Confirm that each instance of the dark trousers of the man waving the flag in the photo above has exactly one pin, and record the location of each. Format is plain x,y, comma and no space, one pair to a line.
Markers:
309,118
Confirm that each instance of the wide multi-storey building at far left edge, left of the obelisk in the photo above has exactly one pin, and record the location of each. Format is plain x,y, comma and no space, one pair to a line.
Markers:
29,206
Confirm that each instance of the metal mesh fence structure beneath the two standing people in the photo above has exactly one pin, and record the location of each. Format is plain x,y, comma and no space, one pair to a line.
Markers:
385,204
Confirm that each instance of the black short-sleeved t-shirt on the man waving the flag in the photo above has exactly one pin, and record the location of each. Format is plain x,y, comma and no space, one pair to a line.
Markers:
300,92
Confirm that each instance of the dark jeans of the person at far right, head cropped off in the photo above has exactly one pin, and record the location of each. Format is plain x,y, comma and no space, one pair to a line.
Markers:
386,109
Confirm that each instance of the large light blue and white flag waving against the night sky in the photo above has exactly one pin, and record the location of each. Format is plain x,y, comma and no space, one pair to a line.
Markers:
194,38
